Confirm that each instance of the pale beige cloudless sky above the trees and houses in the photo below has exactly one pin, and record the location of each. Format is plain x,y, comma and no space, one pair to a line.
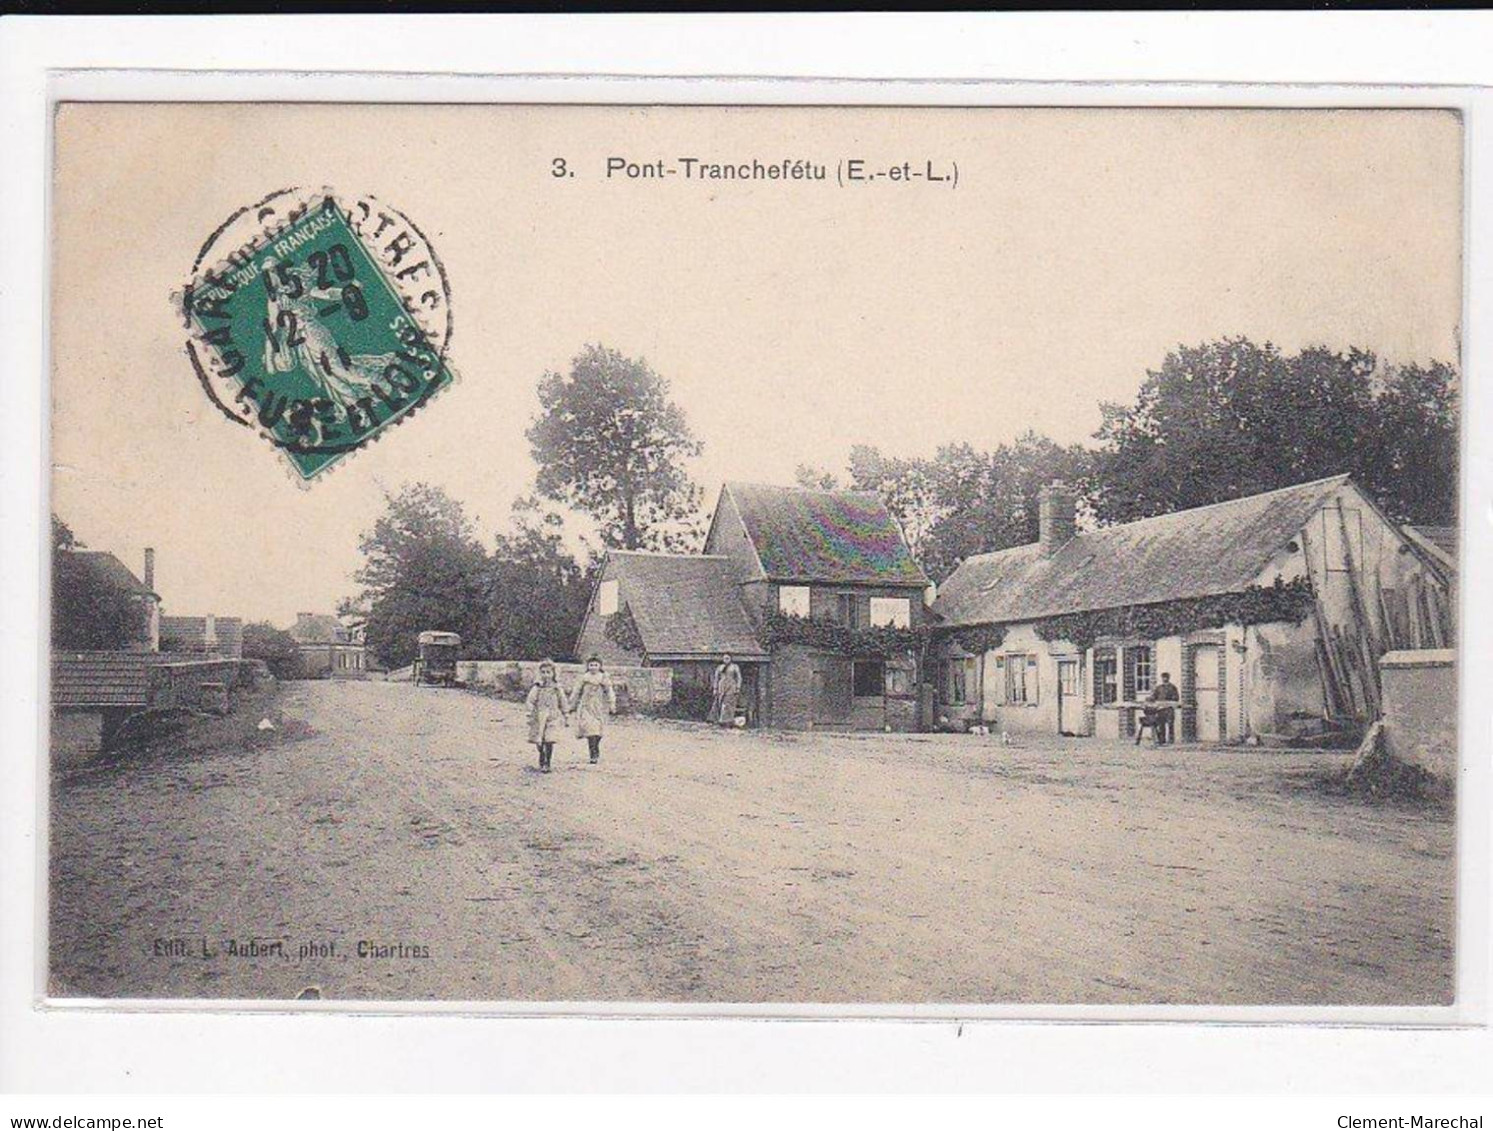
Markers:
794,319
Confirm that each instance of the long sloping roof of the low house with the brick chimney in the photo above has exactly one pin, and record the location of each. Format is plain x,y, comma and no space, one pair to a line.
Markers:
1200,553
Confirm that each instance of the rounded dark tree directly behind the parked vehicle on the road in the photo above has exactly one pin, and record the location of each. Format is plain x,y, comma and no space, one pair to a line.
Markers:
423,569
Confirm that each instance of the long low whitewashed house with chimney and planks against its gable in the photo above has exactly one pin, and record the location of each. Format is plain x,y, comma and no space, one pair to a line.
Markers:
1009,620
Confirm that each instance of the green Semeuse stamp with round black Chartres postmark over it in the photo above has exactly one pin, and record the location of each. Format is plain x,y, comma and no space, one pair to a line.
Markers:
319,320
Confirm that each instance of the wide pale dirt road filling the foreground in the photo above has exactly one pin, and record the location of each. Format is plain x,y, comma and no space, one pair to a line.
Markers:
399,845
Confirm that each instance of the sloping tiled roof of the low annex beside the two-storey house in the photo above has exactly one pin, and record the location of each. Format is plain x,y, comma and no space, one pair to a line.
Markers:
685,605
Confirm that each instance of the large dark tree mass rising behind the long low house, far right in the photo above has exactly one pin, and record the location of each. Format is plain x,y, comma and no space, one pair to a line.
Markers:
1234,419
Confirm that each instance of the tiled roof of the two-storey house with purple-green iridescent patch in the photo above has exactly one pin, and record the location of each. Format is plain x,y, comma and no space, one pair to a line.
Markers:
825,536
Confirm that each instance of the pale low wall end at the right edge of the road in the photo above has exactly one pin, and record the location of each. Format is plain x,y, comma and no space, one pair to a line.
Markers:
1421,709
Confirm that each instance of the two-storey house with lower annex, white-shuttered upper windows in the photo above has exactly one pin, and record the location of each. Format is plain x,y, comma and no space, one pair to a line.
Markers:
789,586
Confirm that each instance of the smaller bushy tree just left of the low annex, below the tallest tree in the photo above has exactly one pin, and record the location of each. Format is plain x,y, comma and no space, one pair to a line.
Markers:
538,593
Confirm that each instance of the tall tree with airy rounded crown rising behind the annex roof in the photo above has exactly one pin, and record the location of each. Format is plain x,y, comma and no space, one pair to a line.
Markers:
611,444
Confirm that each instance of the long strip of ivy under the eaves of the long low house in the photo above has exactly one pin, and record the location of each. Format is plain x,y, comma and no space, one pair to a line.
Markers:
1289,602
